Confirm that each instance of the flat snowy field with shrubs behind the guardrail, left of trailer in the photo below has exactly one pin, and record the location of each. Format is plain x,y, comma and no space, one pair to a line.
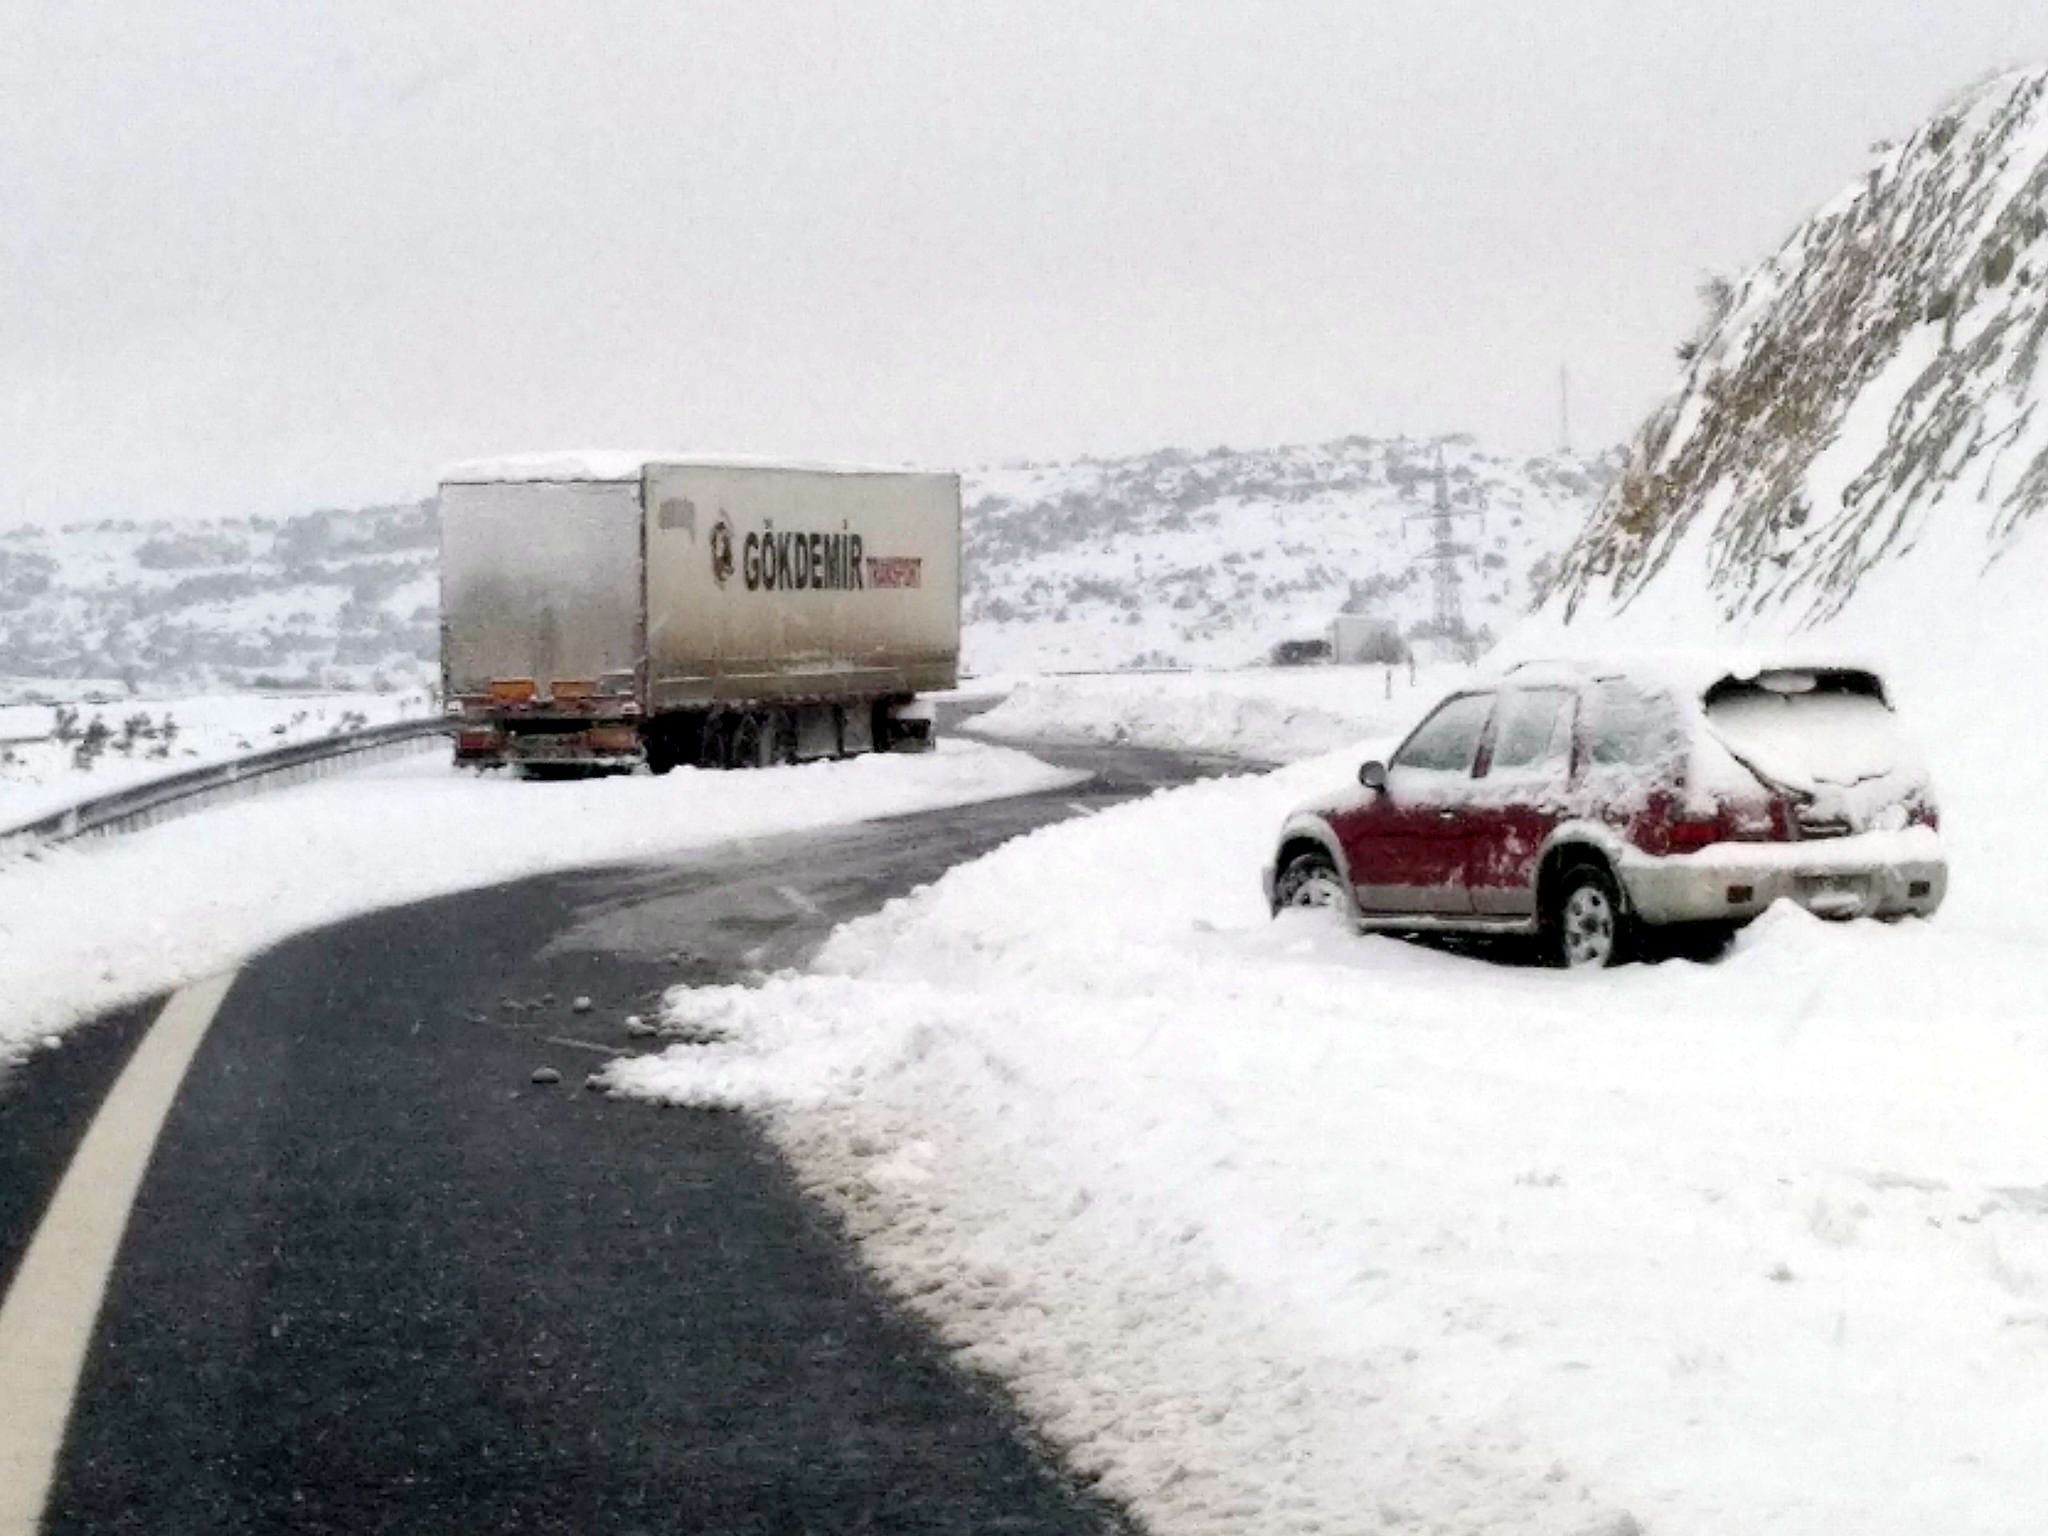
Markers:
40,759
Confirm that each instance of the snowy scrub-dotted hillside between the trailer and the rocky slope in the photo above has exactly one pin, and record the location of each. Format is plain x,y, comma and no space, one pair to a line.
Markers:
1213,558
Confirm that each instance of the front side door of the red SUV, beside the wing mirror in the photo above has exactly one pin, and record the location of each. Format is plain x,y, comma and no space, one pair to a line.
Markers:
1406,843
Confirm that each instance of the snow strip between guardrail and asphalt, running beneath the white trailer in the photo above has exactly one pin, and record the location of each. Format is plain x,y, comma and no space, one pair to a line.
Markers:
81,933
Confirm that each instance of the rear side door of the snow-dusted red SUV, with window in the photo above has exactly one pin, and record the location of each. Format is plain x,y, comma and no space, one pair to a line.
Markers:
1519,798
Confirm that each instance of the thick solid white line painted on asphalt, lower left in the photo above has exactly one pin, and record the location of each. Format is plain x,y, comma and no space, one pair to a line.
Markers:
46,1322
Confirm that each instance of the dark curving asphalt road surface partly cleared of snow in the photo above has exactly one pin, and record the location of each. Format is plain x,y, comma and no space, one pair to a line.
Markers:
380,1281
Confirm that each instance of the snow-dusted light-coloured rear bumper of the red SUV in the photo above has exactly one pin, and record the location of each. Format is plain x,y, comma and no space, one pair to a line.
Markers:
1869,876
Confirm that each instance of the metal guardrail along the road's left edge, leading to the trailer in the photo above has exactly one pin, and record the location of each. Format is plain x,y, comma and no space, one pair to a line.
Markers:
196,790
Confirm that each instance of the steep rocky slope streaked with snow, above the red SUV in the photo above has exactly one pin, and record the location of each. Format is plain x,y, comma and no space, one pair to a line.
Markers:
1865,411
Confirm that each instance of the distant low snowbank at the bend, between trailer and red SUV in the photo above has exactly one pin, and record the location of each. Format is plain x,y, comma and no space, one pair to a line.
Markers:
1263,718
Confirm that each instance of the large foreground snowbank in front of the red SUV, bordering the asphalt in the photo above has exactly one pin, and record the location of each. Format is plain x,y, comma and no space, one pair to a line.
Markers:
1281,1230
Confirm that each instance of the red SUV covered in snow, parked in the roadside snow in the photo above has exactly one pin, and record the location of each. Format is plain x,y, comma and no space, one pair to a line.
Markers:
1601,806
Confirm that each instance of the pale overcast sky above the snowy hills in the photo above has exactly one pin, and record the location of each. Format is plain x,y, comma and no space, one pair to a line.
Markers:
275,257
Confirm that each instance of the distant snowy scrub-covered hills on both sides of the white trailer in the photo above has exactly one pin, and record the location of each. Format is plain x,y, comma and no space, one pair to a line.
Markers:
1164,560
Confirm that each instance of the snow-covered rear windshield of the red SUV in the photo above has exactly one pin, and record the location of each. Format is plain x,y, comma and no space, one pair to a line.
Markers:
1811,728
